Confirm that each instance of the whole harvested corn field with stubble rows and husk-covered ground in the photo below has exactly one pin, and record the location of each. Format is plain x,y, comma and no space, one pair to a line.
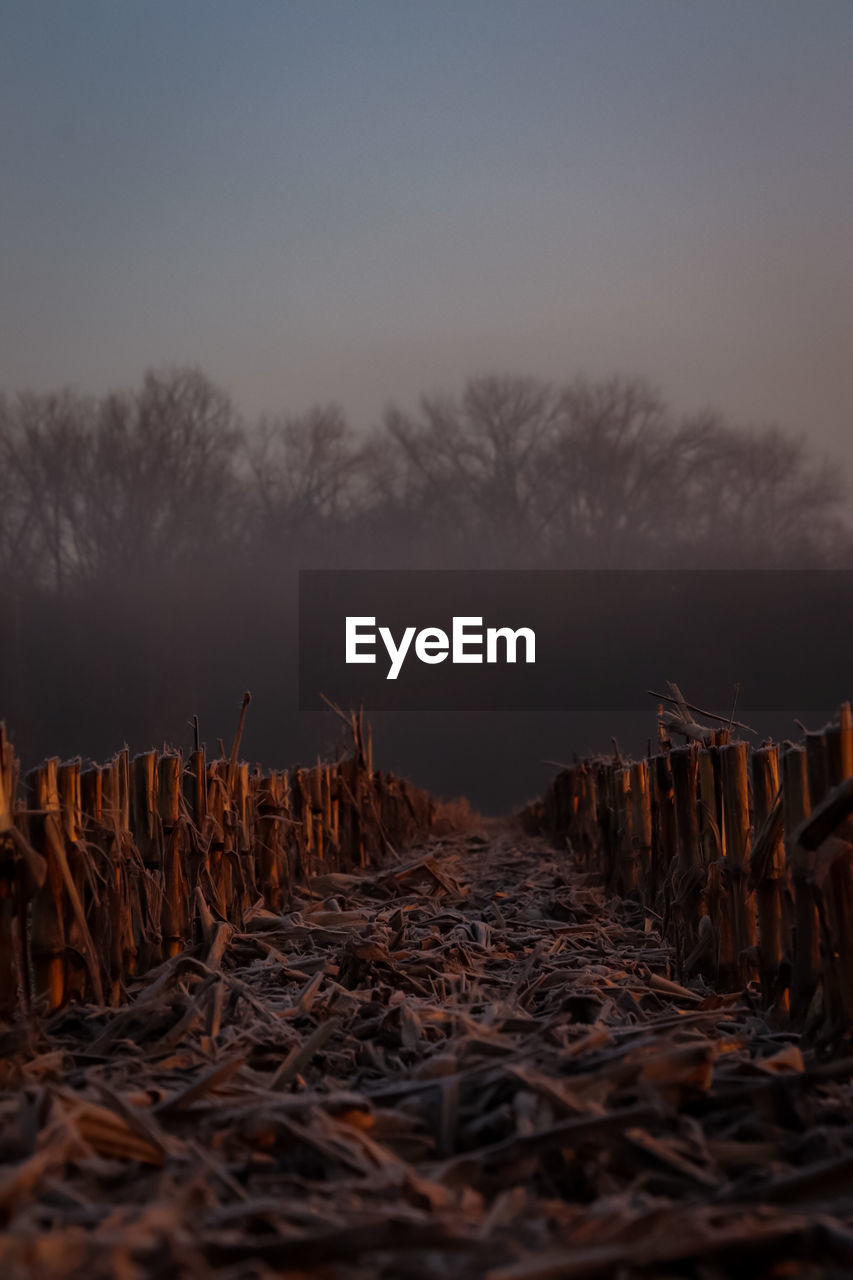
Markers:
409,1043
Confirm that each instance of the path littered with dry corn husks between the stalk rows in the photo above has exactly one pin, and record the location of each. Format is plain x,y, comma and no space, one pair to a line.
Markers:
466,1066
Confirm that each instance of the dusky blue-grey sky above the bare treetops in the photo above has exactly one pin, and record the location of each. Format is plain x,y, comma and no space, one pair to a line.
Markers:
364,202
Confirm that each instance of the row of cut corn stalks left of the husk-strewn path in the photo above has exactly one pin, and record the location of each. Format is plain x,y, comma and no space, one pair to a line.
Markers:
108,870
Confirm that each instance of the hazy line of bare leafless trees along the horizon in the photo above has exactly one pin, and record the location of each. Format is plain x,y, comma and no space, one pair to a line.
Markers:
514,472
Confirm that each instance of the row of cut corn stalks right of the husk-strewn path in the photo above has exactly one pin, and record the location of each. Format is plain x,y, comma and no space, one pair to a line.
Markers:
743,854
